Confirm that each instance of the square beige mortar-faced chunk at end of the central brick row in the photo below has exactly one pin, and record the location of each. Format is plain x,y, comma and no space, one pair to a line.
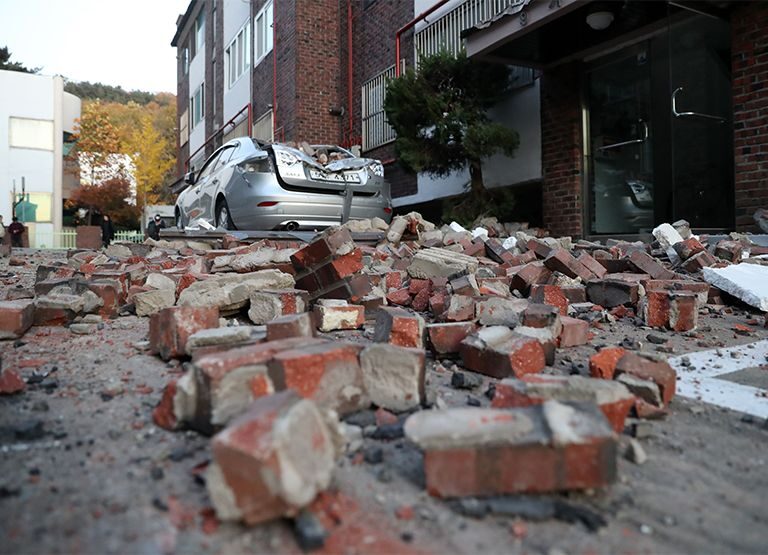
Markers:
394,376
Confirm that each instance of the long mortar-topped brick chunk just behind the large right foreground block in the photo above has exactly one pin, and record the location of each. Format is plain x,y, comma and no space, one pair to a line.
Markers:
613,398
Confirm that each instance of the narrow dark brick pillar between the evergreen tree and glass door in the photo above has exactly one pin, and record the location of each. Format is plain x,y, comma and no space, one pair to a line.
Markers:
561,154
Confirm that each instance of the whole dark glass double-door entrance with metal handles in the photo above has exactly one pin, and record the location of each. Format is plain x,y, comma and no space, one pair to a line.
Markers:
659,131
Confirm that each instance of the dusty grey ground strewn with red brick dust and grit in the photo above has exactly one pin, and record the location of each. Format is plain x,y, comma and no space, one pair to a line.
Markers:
84,469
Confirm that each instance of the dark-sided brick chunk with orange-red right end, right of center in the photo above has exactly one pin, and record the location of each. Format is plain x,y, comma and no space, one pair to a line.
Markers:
499,352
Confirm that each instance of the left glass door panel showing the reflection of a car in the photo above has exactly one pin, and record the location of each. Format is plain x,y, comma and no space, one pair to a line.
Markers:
621,158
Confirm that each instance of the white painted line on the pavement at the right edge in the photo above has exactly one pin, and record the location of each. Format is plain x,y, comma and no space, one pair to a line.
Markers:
700,379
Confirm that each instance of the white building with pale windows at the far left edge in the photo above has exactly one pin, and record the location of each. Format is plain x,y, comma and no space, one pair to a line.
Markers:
35,116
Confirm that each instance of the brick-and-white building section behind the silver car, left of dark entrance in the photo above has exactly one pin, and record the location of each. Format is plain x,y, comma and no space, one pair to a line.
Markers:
316,72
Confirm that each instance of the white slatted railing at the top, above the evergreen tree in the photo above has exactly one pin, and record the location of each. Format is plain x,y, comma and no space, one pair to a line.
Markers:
444,34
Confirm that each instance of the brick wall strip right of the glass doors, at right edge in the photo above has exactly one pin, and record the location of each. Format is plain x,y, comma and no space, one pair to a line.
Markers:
749,54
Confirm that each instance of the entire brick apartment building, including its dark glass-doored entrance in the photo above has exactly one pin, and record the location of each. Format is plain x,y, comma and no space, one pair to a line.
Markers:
630,113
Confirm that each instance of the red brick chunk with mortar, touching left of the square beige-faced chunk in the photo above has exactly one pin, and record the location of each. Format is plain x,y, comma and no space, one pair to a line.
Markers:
327,373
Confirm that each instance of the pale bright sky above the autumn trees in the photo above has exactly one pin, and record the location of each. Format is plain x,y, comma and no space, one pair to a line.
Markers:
116,42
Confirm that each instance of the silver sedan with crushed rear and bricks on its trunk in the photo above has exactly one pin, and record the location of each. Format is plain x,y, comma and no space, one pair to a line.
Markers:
252,185
